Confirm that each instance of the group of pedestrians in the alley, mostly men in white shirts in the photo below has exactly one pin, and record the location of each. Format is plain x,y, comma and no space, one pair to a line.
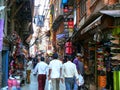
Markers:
57,71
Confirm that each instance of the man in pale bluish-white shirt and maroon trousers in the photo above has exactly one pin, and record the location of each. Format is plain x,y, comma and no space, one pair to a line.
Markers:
41,69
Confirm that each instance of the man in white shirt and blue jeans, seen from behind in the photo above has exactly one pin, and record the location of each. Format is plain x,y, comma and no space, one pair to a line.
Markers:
69,71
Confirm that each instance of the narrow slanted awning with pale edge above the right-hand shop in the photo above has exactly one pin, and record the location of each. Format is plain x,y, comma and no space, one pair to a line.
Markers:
95,23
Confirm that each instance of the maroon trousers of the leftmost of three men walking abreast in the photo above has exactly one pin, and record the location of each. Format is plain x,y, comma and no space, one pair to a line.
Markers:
41,81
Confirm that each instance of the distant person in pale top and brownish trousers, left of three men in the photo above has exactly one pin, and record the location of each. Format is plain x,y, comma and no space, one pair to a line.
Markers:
28,69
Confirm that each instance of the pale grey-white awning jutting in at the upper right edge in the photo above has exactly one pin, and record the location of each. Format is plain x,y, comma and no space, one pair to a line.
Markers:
113,13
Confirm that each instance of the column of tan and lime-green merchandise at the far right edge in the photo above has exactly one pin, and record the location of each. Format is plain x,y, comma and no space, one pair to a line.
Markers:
115,51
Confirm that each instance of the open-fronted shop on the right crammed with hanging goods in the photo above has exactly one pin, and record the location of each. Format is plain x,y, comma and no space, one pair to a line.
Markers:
93,44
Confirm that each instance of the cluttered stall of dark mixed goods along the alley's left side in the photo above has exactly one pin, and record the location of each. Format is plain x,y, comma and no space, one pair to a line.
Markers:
17,58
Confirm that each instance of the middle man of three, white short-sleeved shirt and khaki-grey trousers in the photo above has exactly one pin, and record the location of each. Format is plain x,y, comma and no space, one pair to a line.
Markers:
55,69
